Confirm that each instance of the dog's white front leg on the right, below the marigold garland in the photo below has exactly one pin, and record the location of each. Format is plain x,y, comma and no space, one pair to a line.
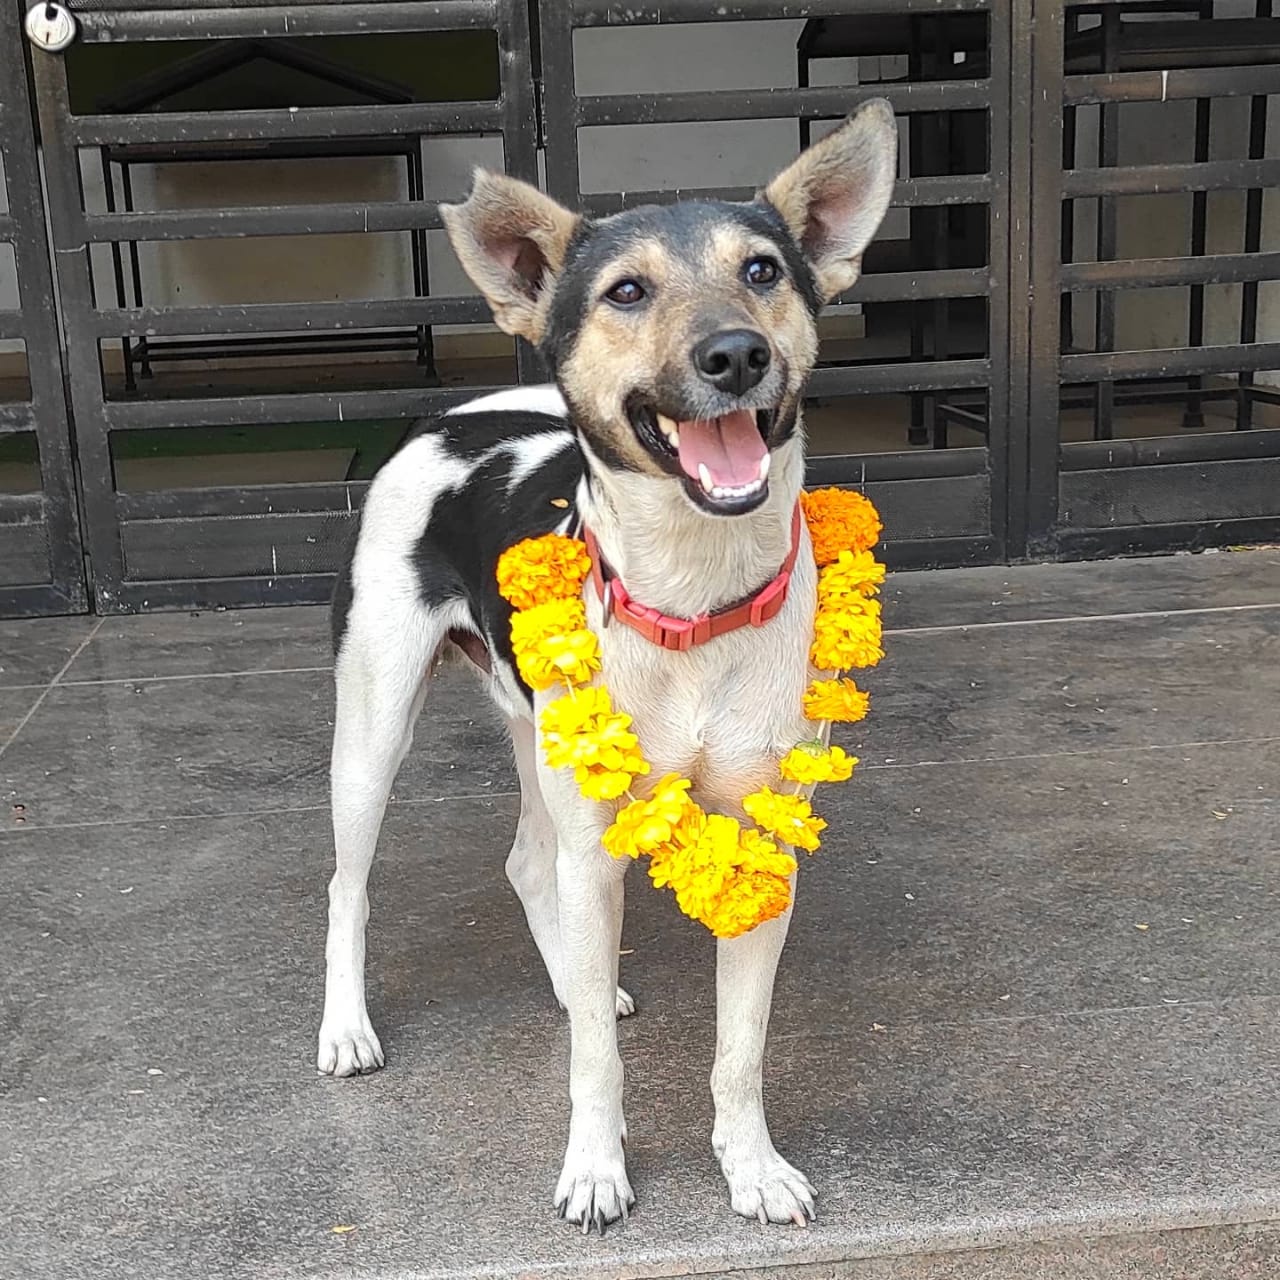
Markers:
761,1183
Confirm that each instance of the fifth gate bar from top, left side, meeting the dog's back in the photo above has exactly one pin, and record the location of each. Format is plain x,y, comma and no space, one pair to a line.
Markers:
328,406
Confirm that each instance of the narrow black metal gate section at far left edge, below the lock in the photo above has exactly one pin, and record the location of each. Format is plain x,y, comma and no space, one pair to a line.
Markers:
53,513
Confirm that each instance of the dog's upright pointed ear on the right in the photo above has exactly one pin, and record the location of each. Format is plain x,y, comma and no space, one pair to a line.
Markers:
835,195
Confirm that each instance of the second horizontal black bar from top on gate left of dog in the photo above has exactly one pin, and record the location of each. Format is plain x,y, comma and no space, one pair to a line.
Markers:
304,122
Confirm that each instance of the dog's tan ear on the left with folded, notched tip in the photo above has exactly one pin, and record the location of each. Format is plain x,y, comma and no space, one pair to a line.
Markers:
511,240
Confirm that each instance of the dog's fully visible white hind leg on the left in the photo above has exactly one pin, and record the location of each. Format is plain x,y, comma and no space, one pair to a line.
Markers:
381,674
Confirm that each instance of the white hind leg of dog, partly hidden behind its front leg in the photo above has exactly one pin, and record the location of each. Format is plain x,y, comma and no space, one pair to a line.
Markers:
532,865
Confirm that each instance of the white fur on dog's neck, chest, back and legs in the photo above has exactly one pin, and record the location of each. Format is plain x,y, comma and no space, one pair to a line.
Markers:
721,714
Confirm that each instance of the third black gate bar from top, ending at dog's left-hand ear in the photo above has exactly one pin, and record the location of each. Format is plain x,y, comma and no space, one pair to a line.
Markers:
262,221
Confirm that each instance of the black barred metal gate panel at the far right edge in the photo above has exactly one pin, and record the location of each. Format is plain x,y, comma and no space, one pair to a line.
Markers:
1158,436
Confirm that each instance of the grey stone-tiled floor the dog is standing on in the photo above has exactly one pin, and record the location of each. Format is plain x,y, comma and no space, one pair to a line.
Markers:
1026,1026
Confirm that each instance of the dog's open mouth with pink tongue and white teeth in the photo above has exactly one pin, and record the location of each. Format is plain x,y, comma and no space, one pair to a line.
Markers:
724,461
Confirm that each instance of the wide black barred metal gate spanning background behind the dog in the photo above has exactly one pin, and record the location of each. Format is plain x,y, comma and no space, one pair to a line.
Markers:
1003,380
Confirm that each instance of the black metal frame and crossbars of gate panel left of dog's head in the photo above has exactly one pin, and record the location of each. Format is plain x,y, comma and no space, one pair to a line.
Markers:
195,518
